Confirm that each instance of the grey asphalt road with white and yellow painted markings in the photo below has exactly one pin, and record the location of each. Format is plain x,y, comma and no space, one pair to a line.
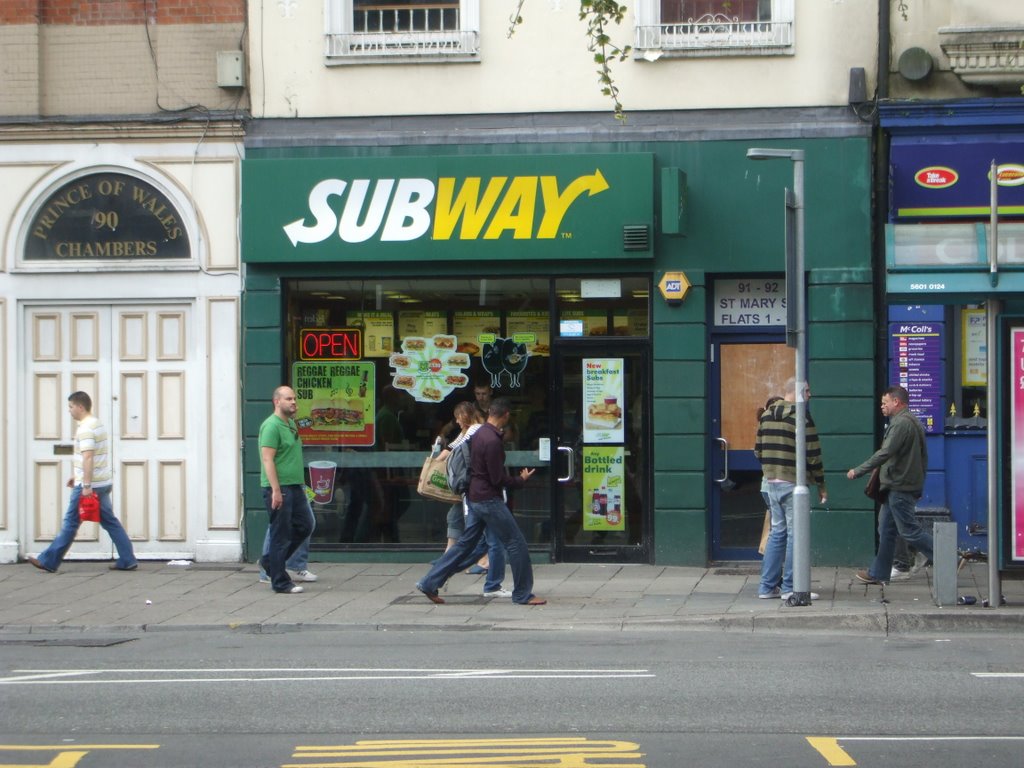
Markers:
389,699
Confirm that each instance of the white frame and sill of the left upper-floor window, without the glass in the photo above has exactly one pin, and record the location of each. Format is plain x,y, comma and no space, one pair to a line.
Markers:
346,47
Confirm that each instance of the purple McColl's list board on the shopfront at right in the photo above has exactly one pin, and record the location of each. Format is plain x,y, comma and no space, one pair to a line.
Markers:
916,364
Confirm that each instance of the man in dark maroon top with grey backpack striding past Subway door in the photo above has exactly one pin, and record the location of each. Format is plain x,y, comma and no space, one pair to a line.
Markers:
486,500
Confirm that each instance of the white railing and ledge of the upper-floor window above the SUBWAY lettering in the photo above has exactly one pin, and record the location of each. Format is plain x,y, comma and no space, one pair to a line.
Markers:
392,31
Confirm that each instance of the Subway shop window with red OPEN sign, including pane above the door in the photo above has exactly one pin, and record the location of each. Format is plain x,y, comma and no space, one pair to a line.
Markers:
379,367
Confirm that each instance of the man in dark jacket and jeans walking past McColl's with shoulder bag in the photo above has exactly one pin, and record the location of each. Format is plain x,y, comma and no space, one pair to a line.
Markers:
904,462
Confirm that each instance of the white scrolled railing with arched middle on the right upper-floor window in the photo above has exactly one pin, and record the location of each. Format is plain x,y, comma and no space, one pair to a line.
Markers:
715,31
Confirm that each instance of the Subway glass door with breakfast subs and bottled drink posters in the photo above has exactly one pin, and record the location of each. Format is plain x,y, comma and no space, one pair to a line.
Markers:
601,457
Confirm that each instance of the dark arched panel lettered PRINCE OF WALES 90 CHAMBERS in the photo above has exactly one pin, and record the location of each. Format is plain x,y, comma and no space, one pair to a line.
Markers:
107,217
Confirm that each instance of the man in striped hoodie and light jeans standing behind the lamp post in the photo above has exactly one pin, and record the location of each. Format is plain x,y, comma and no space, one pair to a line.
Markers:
777,450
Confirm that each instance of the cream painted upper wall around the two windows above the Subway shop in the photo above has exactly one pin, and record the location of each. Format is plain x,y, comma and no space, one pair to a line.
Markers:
545,67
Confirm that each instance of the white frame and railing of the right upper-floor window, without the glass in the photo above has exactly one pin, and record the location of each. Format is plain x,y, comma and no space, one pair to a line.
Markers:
714,36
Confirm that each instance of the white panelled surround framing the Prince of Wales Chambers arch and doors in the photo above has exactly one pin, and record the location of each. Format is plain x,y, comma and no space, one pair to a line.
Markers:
203,176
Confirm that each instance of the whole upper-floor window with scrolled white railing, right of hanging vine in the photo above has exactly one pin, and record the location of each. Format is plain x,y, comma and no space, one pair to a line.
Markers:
714,27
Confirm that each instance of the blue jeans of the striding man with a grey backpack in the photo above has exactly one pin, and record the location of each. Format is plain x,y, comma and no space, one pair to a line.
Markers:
496,517
